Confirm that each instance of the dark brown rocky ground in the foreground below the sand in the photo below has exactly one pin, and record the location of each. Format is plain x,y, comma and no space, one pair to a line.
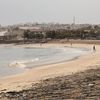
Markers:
79,86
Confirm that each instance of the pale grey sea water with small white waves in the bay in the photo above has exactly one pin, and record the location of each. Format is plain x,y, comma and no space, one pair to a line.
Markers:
14,60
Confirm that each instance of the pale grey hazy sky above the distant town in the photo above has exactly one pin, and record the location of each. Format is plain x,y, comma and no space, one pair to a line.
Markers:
62,11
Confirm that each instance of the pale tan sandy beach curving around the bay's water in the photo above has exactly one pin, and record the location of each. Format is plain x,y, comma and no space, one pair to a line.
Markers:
24,80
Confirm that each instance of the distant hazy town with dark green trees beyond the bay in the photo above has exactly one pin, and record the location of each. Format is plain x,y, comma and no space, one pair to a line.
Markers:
44,32
